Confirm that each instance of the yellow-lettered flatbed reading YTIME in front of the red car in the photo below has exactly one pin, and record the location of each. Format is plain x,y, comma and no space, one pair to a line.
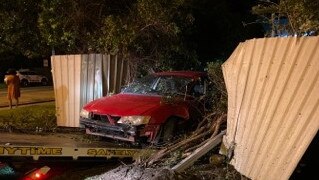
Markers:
60,145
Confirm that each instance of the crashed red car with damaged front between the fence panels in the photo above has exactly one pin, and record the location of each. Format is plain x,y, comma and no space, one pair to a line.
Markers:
151,109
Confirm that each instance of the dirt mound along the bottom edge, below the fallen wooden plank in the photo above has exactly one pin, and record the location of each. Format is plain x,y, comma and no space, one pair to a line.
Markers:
202,172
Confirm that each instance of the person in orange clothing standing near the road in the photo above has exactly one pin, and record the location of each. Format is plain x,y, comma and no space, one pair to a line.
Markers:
13,83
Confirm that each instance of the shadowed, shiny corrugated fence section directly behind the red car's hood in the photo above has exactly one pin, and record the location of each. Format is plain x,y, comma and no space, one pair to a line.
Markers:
101,75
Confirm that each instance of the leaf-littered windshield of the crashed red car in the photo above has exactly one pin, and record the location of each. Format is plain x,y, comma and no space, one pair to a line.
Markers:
158,85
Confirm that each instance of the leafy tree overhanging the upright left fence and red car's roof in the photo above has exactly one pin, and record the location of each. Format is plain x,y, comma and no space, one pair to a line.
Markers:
148,33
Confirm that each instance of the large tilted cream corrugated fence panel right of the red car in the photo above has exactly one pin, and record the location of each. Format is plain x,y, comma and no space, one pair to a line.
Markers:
273,104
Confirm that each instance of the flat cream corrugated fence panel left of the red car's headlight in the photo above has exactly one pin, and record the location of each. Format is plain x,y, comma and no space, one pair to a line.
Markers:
66,75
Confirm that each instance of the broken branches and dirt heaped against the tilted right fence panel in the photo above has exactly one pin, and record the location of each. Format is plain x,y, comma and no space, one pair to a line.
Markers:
159,165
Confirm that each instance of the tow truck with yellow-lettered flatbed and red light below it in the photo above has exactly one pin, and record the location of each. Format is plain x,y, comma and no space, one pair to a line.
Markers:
30,149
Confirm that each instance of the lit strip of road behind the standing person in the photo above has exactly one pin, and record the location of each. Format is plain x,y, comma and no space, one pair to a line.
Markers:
30,95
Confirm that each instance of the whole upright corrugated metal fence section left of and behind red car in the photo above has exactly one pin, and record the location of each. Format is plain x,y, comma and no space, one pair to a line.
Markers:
79,79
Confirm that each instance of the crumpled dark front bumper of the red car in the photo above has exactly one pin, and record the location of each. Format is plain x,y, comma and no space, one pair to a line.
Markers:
118,131
